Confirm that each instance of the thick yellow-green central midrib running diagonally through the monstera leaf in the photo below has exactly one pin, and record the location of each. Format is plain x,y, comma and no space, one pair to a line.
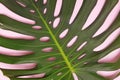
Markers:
55,40
